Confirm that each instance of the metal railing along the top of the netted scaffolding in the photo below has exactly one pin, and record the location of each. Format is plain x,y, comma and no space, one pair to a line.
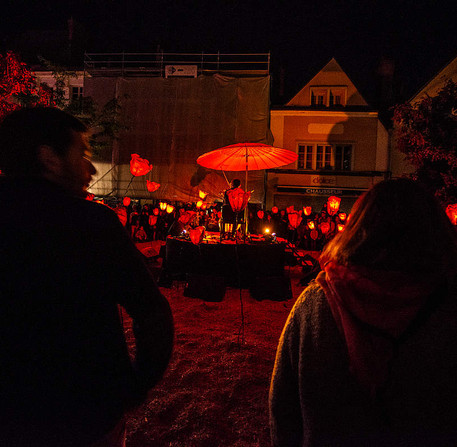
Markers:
153,64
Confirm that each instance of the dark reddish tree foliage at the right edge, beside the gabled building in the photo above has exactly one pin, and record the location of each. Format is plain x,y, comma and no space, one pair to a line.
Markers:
427,133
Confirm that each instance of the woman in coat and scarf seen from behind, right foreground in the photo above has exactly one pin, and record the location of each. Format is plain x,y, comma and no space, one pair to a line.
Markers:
368,356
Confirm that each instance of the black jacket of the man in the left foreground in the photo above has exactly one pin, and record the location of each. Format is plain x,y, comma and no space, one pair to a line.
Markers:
65,375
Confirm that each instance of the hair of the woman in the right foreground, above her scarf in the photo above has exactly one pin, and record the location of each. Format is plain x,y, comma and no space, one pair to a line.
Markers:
397,225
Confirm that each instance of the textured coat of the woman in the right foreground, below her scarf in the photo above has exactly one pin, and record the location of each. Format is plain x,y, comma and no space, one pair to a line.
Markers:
316,401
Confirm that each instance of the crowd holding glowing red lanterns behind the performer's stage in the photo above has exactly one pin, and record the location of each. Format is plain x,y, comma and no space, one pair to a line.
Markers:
305,229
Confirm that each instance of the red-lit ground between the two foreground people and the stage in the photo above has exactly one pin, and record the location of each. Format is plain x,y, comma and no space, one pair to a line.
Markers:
215,392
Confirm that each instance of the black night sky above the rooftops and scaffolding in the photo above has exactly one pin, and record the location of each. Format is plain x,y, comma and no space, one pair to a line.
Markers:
419,36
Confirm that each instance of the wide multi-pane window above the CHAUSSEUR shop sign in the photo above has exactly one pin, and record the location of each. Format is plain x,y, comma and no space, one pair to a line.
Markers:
321,156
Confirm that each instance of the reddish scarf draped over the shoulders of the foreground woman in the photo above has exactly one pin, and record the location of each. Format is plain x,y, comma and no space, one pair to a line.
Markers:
372,309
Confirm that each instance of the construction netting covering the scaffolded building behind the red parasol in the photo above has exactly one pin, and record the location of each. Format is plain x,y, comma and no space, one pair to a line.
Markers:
171,122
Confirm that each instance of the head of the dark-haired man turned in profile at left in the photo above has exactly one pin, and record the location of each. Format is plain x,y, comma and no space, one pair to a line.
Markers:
48,143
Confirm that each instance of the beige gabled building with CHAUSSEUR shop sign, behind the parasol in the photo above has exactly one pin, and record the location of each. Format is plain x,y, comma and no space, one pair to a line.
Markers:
342,146
